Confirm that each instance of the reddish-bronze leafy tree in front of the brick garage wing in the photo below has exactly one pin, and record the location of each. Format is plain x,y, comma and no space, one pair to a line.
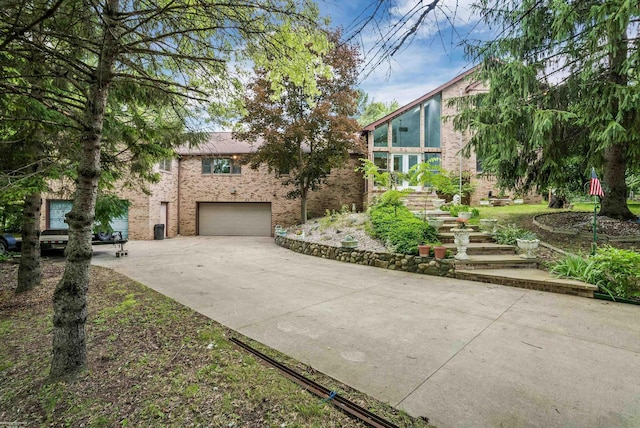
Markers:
305,132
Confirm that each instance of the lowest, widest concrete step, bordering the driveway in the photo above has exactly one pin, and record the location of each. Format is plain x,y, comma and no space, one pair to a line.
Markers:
532,279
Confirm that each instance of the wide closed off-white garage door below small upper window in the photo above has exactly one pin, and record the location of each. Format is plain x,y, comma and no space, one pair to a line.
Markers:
247,219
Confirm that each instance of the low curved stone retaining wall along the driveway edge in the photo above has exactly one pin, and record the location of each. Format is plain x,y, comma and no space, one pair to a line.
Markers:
401,262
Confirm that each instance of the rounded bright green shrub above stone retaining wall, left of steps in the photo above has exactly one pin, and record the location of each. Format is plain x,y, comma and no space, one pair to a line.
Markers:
400,229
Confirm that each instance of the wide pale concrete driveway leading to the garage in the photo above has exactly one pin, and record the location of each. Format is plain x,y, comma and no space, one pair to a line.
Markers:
461,353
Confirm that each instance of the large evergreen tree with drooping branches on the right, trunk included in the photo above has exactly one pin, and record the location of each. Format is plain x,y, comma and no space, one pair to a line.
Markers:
563,96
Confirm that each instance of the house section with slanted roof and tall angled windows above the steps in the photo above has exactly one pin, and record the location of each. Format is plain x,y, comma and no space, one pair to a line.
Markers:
417,132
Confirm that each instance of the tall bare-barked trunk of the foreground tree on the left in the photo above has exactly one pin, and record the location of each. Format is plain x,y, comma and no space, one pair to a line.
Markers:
70,296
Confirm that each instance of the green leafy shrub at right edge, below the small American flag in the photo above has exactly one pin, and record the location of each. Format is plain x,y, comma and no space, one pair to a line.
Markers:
613,270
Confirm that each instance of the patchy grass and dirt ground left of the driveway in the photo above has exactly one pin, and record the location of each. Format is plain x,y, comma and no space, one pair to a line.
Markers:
152,362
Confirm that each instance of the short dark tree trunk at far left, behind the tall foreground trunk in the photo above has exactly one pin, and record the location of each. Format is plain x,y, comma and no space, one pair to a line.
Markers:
29,272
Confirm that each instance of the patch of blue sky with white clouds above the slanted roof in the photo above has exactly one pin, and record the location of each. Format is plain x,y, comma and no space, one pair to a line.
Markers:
433,57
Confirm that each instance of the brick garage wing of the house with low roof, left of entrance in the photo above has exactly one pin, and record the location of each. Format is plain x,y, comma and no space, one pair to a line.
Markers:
206,191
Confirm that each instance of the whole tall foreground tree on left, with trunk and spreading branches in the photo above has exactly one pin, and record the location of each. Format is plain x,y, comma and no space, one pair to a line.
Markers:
111,64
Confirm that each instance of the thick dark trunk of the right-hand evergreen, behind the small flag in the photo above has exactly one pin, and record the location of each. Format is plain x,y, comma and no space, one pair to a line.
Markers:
614,203
